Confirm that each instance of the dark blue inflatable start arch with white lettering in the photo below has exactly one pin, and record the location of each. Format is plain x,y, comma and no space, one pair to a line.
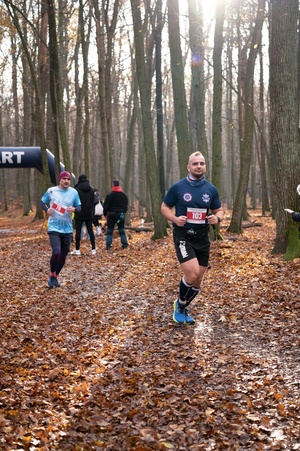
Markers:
28,157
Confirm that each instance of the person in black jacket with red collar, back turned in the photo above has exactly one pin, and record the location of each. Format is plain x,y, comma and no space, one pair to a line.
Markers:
114,209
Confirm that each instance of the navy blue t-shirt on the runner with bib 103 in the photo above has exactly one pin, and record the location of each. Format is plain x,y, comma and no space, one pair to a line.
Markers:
193,200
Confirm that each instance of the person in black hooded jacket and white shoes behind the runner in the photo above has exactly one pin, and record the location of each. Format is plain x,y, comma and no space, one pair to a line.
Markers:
86,194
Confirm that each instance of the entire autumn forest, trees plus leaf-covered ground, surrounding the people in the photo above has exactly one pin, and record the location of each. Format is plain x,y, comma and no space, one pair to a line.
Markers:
129,89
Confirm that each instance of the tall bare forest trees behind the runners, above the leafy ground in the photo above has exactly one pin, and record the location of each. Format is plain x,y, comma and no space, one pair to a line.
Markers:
129,89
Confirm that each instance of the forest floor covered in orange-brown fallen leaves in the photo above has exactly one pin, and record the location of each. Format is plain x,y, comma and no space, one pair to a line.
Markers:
99,364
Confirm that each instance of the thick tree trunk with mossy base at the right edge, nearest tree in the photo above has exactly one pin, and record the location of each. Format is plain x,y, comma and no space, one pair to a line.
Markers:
284,104
